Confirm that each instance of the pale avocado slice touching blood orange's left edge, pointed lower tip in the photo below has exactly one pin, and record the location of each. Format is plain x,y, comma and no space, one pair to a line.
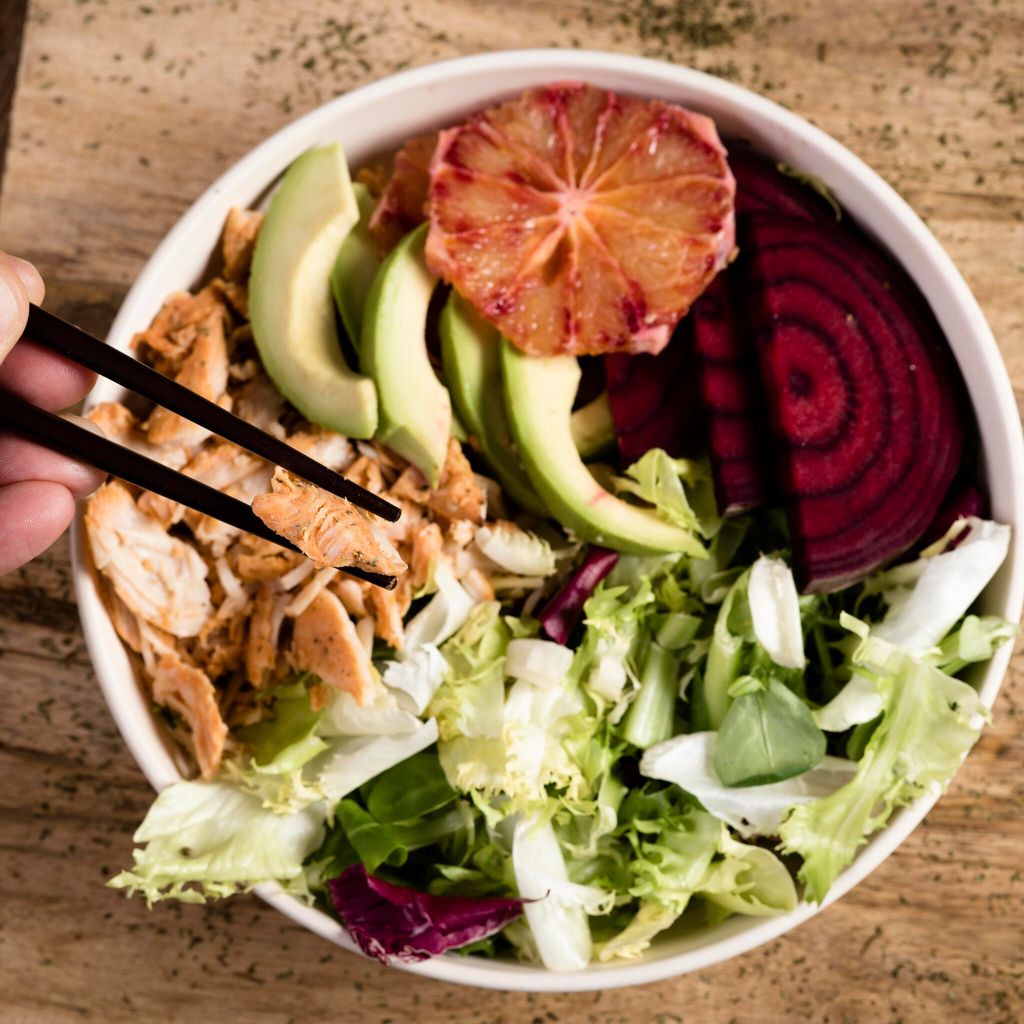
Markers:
415,409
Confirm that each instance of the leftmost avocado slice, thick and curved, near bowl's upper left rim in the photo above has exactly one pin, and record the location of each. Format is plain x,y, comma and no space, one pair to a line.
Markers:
290,304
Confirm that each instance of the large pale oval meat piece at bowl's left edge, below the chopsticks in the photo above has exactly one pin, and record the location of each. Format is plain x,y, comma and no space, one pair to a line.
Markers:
159,577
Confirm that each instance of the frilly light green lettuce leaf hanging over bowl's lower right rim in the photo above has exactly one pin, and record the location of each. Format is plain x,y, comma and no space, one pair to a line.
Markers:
929,722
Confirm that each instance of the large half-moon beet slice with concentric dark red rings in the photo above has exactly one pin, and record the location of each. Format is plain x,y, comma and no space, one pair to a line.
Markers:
863,396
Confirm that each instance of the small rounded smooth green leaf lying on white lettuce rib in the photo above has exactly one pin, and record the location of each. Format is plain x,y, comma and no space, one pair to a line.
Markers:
767,737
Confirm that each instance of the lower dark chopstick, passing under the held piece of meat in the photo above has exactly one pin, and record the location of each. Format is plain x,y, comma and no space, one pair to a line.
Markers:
72,440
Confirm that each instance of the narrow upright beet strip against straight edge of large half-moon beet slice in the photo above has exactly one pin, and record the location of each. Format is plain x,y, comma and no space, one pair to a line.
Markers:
739,439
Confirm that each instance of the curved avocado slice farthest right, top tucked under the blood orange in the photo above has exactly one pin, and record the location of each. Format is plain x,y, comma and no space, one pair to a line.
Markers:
539,395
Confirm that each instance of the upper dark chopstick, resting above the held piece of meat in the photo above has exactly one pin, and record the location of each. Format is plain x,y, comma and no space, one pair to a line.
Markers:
73,343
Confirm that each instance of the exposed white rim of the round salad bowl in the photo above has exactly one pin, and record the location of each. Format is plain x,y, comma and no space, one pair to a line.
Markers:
279,150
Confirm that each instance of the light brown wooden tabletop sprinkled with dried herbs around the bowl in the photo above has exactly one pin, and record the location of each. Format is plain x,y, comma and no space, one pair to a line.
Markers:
124,111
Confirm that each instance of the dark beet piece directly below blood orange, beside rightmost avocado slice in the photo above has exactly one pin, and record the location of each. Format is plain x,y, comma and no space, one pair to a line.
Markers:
656,400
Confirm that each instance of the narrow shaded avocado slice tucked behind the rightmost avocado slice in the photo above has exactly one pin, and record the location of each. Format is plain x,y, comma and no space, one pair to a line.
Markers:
472,355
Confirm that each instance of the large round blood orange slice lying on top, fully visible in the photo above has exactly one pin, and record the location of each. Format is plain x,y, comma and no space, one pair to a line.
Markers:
578,221
